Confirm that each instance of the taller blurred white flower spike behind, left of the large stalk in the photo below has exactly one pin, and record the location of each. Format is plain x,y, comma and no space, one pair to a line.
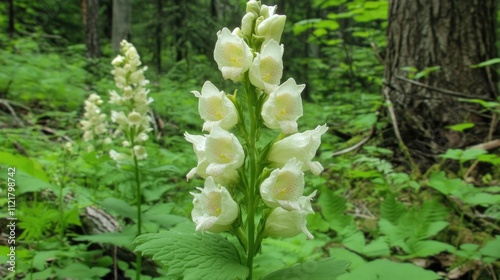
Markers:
133,121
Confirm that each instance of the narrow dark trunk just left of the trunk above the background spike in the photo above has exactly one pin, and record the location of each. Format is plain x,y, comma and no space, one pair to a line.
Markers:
91,20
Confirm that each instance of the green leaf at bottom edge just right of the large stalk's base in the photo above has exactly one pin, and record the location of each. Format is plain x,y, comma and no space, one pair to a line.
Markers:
327,269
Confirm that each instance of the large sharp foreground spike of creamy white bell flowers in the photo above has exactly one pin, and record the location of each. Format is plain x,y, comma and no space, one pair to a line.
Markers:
270,175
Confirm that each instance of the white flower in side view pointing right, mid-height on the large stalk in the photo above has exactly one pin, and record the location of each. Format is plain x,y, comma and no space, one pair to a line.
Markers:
302,146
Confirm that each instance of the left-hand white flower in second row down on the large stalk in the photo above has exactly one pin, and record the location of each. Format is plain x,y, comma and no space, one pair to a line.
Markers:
215,108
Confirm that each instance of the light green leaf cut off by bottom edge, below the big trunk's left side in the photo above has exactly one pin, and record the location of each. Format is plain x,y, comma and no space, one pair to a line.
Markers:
387,270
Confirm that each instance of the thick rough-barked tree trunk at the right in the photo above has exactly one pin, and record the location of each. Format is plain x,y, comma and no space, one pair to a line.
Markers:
452,35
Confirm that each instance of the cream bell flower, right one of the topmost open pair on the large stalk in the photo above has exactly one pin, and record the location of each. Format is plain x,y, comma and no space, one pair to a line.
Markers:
267,67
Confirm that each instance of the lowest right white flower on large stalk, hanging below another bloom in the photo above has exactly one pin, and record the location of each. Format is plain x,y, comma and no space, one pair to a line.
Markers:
283,223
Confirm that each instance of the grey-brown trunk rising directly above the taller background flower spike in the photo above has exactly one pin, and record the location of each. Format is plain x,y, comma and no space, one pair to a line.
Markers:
122,21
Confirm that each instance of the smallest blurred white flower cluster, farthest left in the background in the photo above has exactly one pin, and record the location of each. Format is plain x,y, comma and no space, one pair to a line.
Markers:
94,124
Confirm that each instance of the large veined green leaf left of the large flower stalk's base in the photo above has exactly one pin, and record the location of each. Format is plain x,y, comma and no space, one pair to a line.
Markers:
192,255
